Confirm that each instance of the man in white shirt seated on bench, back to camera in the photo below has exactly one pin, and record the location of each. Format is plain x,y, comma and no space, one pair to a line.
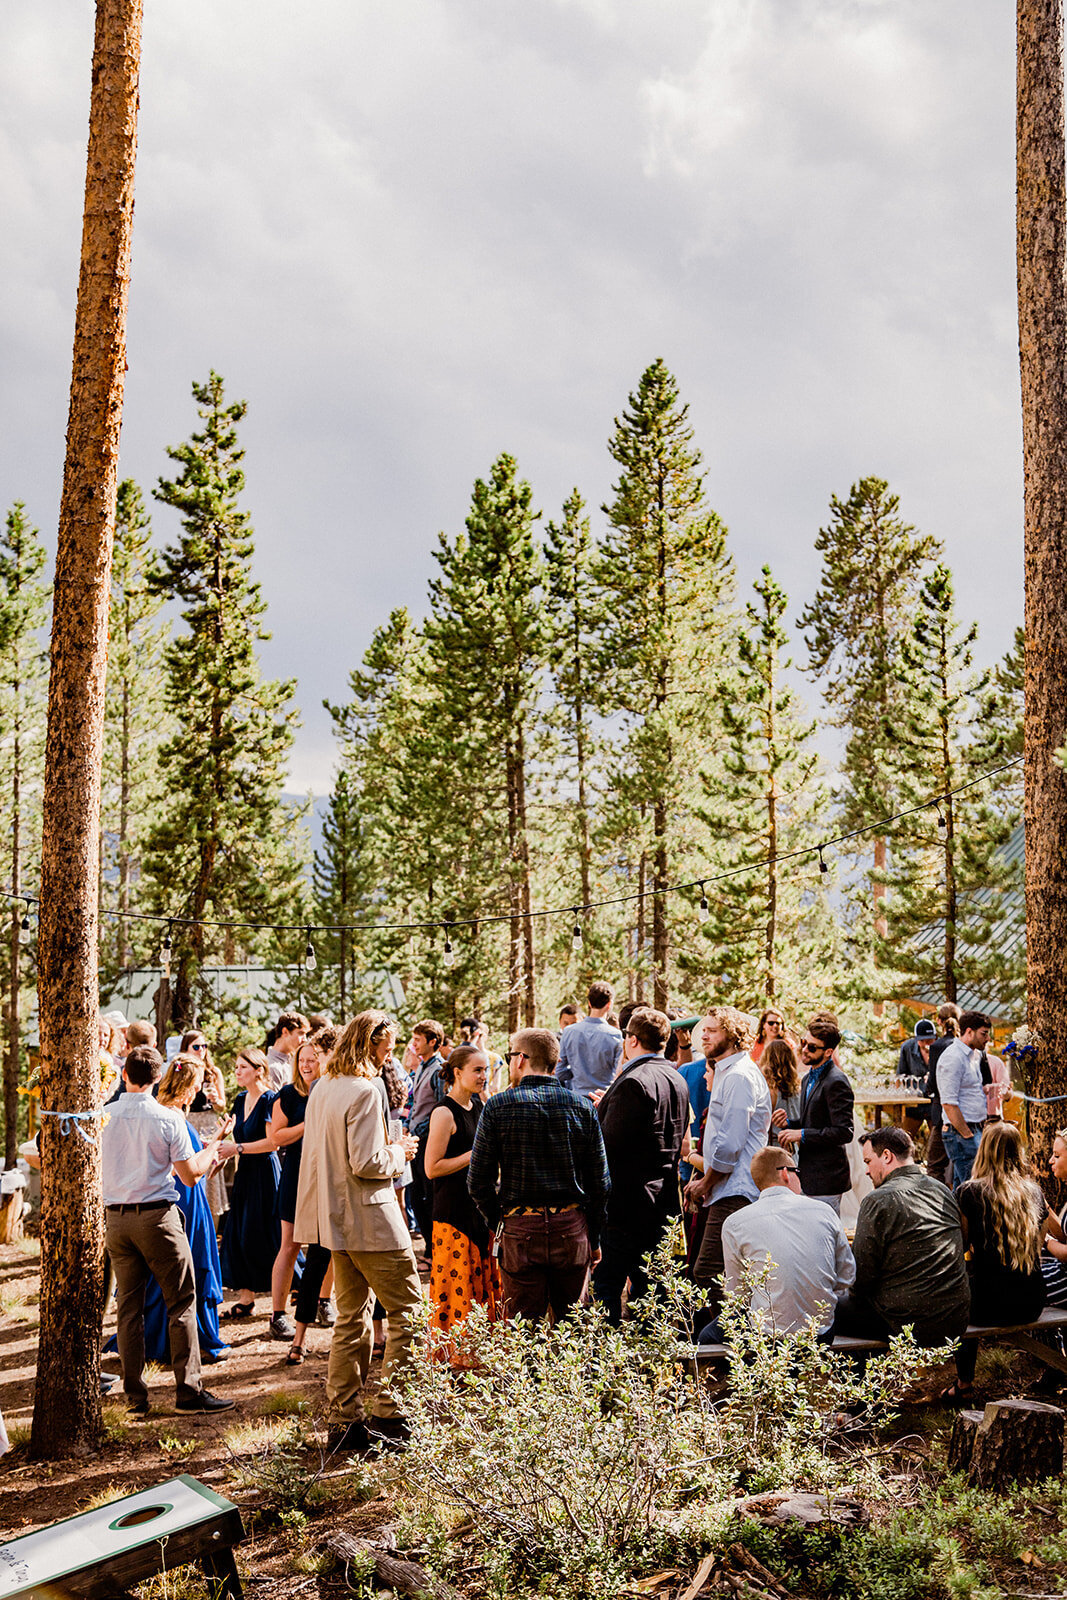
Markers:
804,1242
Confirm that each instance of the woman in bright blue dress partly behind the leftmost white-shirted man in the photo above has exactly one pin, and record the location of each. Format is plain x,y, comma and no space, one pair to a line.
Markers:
180,1087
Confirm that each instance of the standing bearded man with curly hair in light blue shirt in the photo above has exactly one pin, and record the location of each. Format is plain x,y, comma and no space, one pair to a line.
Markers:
737,1127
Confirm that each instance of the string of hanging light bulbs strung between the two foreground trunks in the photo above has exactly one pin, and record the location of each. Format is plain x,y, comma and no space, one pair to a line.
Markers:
450,924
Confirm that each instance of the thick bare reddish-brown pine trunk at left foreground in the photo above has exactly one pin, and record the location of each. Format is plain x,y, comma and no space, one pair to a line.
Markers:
66,1407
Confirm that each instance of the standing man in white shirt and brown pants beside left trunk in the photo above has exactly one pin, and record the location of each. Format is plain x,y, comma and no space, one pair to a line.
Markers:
143,1145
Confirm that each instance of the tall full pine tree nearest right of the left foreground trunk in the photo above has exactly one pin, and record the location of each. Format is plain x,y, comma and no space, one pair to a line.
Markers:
225,847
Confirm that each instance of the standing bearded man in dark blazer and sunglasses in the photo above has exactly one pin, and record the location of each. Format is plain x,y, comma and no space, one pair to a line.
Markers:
825,1129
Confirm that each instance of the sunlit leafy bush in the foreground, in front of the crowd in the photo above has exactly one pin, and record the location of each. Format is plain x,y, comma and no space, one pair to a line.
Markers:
578,1450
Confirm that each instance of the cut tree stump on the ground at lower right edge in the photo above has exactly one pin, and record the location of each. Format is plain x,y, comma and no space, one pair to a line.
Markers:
1013,1441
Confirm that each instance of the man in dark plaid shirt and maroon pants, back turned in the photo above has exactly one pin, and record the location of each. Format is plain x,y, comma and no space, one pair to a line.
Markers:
545,1148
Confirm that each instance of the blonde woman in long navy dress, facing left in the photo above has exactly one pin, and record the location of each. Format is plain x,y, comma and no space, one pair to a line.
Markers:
254,1233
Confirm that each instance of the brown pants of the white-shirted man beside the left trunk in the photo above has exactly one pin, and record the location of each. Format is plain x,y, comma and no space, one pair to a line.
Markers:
154,1242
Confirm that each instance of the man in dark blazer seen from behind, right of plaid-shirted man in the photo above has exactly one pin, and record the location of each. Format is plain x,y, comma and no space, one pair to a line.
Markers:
644,1118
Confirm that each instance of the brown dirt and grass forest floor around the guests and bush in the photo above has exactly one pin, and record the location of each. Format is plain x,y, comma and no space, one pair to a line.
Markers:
1005,1546
